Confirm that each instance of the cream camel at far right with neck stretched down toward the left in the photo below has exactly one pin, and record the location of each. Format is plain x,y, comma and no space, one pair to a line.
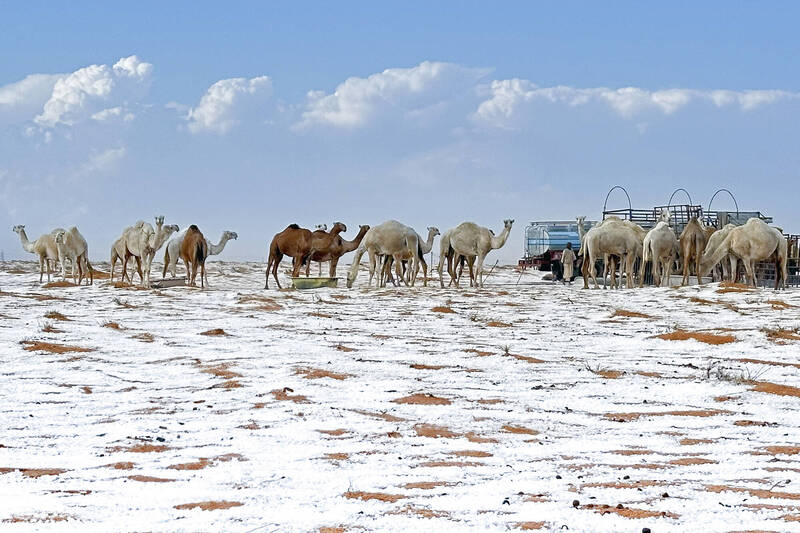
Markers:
752,242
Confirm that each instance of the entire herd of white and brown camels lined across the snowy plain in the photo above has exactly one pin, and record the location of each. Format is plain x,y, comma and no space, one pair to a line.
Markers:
393,244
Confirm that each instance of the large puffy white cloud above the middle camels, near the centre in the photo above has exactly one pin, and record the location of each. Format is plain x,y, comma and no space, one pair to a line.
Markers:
403,91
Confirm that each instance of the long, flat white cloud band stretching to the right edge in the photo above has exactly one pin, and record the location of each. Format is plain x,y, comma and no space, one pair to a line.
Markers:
507,96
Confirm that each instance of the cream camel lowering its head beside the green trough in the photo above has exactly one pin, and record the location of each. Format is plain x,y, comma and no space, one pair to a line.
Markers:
389,238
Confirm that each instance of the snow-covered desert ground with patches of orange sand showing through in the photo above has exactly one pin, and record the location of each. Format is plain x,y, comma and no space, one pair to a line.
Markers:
516,407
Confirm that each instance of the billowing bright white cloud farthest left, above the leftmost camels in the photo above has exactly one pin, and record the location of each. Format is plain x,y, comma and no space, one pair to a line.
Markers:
90,90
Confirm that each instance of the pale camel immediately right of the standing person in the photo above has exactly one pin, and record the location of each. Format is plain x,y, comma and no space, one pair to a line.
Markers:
612,236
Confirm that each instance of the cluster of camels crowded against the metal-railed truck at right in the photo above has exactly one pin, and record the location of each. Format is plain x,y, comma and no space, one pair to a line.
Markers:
615,239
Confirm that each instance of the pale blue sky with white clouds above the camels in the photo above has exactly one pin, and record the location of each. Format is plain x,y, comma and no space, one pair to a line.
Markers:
251,116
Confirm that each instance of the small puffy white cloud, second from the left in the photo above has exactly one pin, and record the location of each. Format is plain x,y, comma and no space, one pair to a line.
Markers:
225,102
